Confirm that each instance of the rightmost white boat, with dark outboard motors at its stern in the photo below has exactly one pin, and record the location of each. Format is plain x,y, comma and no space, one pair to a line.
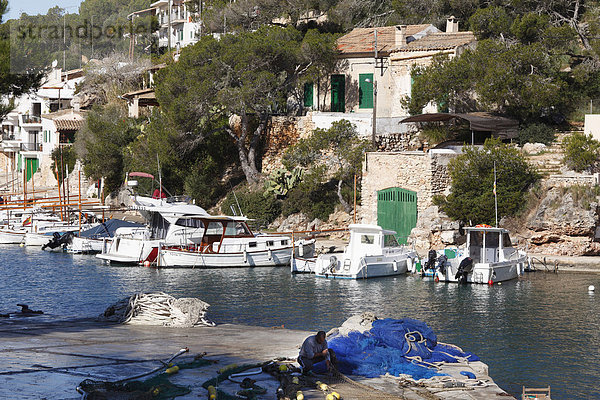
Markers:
488,257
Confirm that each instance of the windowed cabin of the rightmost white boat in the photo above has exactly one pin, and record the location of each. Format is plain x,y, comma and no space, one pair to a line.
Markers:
488,244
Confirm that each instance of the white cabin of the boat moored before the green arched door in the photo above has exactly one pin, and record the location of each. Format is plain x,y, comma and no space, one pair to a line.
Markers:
369,240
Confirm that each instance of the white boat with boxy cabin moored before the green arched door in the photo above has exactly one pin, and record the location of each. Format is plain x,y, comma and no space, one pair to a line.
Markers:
371,252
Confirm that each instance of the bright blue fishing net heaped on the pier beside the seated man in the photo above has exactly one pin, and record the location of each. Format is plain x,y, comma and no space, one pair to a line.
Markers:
388,346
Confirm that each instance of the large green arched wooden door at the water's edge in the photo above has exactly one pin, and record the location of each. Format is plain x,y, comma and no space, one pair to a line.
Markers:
397,210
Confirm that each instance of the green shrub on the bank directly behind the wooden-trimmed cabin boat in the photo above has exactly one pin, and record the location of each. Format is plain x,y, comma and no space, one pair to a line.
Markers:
254,205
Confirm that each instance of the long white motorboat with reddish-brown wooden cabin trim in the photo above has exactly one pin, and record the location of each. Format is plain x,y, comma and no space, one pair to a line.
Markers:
227,241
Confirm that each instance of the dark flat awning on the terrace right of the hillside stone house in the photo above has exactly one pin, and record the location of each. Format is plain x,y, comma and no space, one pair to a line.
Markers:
503,127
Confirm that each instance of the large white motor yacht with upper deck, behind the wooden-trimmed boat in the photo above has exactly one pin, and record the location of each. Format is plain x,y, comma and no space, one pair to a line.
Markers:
169,225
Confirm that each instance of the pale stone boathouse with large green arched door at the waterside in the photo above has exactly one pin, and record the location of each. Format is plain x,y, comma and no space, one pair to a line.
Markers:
415,176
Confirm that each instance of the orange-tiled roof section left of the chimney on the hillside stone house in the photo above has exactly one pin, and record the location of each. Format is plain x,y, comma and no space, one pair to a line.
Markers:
360,40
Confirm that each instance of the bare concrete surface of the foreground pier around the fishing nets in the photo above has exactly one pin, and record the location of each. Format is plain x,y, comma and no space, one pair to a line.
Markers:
44,359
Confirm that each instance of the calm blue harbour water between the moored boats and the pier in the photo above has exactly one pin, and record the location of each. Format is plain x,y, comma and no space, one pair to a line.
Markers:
541,330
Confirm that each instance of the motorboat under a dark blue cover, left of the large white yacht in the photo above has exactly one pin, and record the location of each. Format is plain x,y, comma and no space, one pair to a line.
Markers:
97,238
